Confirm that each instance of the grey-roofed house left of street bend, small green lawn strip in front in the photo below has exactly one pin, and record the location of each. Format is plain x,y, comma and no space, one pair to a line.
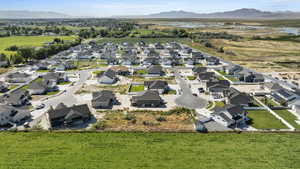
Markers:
42,87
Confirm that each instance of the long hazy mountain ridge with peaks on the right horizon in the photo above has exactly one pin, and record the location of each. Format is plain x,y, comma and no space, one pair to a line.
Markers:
244,13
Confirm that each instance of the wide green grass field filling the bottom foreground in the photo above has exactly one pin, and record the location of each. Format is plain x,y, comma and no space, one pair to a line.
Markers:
149,150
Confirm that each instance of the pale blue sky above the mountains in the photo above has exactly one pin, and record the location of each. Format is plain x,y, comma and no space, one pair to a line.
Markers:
106,8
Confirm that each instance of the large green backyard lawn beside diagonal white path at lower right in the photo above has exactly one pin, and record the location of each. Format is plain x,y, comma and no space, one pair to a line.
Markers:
262,119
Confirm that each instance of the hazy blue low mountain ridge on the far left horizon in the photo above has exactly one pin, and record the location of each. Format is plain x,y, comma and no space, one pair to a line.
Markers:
30,15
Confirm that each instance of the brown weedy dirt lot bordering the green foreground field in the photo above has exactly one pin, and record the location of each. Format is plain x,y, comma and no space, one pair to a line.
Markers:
174,120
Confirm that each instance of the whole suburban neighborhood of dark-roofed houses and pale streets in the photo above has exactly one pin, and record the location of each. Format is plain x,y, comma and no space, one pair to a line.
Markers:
79,87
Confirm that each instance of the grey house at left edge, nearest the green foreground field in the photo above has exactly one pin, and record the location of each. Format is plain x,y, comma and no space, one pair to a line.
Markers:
10,116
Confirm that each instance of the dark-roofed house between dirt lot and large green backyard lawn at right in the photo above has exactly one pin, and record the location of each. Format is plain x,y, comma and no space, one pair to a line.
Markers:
231,115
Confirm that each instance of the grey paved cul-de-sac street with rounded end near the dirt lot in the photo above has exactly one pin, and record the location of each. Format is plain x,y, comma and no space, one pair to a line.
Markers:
187,99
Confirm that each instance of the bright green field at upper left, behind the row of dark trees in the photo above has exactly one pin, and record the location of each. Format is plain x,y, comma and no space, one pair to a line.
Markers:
28,41
